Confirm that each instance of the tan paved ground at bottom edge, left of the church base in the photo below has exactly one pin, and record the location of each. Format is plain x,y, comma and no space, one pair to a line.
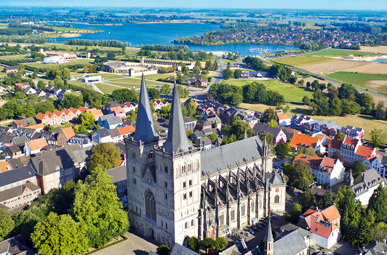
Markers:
135,245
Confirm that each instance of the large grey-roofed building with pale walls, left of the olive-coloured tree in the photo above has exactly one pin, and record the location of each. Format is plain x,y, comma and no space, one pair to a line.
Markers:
56,167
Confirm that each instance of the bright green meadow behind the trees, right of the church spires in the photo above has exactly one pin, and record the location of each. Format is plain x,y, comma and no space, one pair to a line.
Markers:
289,91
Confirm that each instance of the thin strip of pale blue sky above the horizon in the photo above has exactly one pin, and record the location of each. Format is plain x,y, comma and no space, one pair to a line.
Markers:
247,4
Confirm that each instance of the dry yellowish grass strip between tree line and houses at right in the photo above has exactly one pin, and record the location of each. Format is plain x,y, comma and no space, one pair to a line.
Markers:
364,121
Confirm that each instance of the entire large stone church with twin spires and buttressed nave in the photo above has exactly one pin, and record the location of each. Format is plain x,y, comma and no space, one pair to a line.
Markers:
170,181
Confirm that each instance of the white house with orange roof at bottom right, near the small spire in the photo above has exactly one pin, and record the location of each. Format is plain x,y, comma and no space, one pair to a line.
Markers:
323,226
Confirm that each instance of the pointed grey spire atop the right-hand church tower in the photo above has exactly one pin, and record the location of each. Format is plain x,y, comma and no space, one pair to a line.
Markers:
177,136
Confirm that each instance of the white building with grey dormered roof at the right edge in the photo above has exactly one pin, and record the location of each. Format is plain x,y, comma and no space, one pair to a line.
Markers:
365,184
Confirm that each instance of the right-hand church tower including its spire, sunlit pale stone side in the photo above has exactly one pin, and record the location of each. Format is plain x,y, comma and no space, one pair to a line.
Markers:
178,168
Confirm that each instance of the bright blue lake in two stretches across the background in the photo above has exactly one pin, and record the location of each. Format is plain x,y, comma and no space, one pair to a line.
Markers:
138,34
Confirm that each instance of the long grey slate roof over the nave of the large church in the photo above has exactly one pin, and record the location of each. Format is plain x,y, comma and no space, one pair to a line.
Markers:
231,154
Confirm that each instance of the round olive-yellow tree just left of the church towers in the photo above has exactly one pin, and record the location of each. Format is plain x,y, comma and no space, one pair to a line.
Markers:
105,156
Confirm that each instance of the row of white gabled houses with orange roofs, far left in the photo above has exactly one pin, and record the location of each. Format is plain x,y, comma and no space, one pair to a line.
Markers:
59,117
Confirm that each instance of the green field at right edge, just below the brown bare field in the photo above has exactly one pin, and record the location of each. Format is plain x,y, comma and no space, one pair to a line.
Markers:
362,80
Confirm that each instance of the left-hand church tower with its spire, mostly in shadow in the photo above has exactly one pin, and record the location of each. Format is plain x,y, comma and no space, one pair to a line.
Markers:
143,195
